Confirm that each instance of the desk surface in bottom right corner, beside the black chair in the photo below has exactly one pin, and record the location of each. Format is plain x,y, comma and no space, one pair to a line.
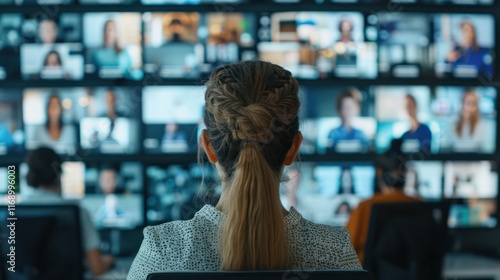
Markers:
470,266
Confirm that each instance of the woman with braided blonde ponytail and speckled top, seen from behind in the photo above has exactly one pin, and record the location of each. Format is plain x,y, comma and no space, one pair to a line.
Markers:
252,132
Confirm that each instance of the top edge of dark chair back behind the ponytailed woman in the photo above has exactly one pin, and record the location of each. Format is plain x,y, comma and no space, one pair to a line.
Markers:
265,275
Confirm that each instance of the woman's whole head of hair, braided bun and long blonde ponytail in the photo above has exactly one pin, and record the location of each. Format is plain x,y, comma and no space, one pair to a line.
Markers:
251,118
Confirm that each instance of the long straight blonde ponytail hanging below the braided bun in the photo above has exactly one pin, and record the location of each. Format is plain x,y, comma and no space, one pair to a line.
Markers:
253,236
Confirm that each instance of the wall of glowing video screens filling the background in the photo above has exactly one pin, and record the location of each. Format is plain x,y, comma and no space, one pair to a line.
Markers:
120,95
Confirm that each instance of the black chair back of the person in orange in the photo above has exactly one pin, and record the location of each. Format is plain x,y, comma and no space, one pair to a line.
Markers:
407,240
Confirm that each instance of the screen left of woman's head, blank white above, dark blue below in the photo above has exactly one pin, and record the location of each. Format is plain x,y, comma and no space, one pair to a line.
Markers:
173,117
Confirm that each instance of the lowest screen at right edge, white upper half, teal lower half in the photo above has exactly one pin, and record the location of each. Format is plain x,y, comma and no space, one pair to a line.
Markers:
473,186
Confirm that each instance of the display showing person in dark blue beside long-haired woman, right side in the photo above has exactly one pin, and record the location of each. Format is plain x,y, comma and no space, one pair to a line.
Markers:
448,120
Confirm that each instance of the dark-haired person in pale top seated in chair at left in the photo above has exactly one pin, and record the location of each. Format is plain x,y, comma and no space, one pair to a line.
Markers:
44,176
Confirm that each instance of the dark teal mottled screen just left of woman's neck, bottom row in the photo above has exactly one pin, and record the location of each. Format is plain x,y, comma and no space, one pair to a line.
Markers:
176,193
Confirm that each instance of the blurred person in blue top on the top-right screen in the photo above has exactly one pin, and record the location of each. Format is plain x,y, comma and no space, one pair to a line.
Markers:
469,53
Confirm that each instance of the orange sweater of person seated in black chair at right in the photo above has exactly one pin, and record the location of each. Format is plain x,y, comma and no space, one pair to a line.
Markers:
359,220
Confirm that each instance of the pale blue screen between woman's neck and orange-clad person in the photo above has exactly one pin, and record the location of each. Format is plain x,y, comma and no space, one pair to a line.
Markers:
327,193
